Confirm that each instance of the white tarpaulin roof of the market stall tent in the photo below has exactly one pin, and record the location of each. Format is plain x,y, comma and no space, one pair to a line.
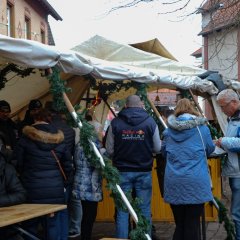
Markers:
104,59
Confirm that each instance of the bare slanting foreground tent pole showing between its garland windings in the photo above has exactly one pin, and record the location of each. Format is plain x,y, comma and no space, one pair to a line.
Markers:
123,196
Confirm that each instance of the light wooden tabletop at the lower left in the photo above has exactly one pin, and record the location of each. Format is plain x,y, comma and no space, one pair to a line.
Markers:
18,213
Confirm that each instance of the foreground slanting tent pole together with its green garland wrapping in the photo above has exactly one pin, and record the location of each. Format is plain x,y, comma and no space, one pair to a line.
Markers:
108,171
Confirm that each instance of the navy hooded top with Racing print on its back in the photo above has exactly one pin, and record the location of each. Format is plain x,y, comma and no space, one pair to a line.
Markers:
133,131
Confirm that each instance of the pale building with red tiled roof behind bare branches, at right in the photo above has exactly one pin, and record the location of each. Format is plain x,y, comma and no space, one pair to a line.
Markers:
221,37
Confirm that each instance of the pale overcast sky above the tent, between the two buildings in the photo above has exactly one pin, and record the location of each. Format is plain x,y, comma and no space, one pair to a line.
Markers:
85,18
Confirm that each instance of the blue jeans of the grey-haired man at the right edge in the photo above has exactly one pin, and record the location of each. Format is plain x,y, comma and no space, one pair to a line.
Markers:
235,204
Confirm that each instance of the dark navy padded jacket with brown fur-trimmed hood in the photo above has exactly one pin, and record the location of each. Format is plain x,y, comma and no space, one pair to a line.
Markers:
39,171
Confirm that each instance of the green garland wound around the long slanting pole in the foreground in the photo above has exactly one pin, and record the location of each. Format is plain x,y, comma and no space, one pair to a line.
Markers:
109,172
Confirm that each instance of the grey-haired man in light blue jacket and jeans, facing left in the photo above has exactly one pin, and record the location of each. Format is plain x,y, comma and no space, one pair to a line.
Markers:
229,102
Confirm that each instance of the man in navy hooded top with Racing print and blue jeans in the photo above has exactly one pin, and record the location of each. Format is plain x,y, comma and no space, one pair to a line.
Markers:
132,138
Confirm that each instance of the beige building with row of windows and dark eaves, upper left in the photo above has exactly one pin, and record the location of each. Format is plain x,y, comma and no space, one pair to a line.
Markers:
27,19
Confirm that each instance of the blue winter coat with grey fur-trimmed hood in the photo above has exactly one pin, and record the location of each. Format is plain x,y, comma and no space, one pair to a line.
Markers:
186,178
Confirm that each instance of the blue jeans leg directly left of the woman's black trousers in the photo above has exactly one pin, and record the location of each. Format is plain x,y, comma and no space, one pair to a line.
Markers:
75,216
